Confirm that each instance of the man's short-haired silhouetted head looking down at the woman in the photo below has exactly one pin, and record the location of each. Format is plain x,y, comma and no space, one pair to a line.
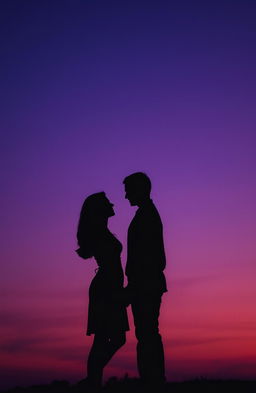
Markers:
137,188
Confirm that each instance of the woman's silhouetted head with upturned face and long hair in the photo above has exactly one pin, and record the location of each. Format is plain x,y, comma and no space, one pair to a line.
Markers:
95,211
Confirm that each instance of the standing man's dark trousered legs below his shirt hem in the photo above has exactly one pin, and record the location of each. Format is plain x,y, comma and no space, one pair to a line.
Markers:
150,352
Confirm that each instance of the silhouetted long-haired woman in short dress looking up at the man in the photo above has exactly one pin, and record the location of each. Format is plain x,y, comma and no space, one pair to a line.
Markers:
107,316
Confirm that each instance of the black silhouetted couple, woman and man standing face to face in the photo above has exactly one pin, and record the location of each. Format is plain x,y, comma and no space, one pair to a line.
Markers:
107,315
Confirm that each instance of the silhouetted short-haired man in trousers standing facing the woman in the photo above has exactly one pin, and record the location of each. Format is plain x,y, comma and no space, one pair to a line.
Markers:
146,281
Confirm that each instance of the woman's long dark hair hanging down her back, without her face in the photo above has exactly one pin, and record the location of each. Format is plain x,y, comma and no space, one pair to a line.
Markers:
89,224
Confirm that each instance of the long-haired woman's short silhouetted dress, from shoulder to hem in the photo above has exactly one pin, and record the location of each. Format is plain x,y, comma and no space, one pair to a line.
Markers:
106,312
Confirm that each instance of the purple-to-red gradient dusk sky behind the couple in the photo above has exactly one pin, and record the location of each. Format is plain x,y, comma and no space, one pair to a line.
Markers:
92,91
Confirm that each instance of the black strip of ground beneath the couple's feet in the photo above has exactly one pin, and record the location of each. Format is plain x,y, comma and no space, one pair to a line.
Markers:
129,385
